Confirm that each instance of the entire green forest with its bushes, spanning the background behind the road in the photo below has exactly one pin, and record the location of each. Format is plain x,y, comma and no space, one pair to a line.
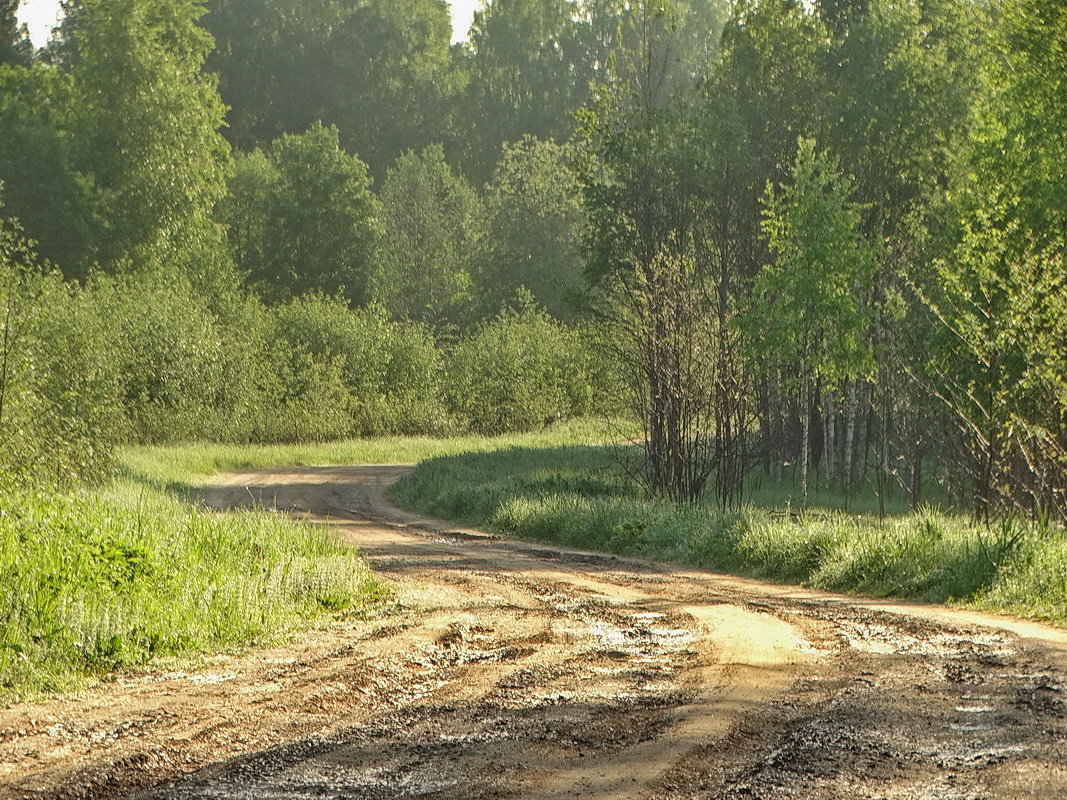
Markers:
813,246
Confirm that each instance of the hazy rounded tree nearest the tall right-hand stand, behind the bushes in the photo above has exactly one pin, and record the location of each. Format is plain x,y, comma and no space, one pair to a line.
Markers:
536,221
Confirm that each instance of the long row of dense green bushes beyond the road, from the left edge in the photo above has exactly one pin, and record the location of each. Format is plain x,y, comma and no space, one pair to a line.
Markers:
144,359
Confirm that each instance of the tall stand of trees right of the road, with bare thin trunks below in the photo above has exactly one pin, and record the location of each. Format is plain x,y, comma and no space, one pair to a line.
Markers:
842,251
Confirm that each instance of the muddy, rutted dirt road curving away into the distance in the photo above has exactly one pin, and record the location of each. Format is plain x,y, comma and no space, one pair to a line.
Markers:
511,670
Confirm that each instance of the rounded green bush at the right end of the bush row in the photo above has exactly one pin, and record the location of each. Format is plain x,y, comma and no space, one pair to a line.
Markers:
518,372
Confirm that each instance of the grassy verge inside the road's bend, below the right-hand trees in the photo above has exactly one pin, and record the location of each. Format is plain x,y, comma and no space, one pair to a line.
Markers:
578,497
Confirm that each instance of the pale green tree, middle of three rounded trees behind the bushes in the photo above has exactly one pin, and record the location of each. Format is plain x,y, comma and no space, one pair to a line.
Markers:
434,226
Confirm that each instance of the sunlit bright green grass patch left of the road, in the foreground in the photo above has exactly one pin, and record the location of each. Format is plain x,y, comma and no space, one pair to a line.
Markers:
101,580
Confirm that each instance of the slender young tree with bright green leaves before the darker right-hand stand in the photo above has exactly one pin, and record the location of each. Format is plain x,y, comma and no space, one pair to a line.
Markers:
807,318
